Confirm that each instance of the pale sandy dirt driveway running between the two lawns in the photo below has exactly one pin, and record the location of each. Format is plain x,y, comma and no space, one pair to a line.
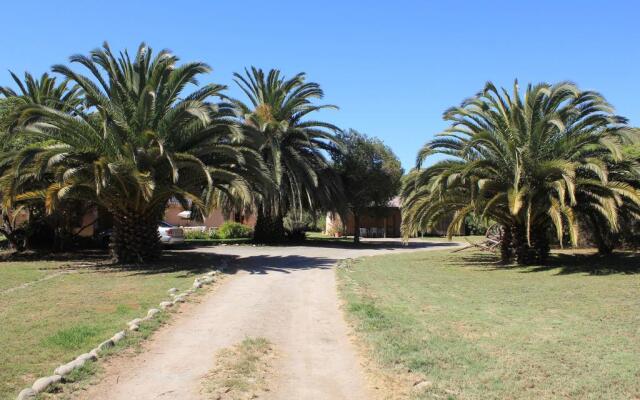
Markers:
285,294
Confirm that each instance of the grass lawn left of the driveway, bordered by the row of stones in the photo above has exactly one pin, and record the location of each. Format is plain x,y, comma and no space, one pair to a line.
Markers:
53,320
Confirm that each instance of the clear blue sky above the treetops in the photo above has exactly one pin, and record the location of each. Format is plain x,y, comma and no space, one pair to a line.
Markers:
393,67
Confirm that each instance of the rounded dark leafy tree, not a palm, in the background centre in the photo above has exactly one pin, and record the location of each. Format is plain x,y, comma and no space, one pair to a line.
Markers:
370,171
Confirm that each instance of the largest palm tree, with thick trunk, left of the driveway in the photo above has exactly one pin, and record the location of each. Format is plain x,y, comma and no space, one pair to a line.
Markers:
138,142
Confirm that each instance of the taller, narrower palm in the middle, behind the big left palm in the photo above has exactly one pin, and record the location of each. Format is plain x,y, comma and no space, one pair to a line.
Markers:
292,146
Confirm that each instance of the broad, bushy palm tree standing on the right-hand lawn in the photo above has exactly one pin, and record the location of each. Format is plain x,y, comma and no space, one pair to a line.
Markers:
527,163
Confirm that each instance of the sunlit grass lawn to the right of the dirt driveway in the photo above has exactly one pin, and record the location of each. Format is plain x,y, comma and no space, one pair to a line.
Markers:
472,329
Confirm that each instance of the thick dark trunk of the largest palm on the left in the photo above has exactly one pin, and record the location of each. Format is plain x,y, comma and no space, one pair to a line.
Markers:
135,236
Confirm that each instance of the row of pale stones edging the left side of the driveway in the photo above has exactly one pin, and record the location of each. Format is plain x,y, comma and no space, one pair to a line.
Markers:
44,383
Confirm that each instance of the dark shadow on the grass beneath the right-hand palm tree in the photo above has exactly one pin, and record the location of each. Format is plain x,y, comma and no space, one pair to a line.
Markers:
627,263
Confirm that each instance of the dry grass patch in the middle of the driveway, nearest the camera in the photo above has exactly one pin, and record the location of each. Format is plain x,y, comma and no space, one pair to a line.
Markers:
242,372
